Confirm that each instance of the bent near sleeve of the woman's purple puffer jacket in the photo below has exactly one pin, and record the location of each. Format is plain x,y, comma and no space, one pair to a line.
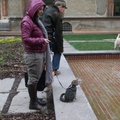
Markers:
27,29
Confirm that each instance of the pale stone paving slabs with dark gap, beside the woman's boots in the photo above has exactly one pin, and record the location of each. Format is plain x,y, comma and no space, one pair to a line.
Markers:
14,96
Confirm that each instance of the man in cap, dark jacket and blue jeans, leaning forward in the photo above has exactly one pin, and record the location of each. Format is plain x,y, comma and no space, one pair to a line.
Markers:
52,19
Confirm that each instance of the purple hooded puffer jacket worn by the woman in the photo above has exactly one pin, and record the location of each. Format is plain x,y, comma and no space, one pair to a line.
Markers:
32,36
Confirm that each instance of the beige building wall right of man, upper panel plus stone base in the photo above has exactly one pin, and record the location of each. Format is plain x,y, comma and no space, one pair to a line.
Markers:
90,15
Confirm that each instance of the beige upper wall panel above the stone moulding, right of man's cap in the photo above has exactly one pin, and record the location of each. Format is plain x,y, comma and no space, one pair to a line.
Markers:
86,8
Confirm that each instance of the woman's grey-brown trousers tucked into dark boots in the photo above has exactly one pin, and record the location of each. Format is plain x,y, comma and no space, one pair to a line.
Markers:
34,63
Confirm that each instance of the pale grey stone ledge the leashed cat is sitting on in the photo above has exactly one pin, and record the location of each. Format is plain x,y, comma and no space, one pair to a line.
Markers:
80,109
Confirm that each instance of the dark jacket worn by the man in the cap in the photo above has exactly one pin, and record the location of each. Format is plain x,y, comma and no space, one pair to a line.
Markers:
52,19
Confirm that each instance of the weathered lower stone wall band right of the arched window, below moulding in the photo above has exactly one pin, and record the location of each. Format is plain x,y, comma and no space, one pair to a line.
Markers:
94,24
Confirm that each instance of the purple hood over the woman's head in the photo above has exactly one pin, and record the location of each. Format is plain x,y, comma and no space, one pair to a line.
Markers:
33,6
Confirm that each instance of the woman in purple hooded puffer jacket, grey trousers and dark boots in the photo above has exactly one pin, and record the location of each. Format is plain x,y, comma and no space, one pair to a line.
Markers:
35,46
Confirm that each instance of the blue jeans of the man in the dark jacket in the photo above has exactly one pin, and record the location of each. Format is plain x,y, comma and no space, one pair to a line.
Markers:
56,61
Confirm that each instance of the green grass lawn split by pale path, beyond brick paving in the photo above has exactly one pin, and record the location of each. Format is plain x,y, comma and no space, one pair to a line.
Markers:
91,45
